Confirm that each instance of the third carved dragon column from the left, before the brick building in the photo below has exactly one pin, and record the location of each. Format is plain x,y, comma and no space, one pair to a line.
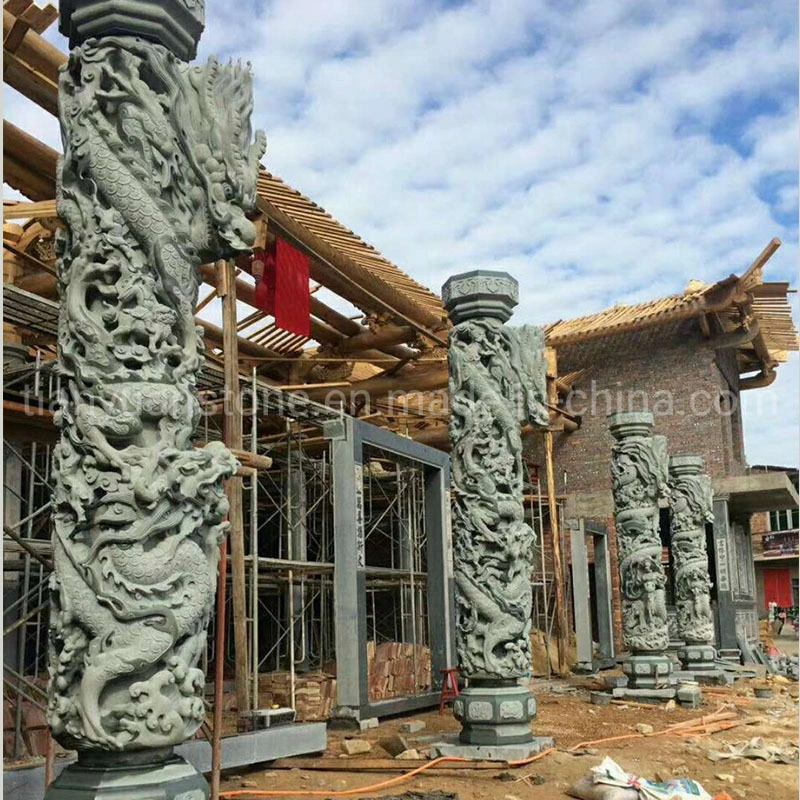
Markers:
639,474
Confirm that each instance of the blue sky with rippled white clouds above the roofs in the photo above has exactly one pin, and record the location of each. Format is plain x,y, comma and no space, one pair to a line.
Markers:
601,152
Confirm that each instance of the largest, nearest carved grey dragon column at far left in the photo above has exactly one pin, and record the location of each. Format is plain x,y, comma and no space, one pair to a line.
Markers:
157,174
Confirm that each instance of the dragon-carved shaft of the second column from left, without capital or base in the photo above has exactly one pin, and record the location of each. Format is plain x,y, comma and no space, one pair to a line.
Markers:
497,382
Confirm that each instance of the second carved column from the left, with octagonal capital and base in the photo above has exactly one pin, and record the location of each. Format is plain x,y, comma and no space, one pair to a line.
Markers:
497,383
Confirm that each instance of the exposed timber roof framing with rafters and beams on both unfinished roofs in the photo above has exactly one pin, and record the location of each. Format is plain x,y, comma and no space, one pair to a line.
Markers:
403,343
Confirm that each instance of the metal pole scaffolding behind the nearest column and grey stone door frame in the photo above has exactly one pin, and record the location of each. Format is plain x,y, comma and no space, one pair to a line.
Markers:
289,524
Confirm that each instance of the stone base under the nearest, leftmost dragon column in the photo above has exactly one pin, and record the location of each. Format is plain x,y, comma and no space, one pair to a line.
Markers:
129,776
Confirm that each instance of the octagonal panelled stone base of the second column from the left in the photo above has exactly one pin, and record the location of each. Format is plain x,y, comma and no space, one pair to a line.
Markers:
495,713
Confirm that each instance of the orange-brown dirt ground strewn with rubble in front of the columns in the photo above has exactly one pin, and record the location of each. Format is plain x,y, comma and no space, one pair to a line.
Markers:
570,719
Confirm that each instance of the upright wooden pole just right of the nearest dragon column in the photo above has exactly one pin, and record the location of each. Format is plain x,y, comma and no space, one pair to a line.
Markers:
232,436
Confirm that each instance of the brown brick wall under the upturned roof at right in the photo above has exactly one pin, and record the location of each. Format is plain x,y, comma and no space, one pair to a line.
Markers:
660,370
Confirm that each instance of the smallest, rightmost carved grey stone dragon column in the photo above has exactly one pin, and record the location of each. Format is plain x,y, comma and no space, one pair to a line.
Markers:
691,507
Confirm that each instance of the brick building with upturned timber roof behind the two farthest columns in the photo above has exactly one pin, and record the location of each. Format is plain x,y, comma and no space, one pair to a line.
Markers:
686,358
